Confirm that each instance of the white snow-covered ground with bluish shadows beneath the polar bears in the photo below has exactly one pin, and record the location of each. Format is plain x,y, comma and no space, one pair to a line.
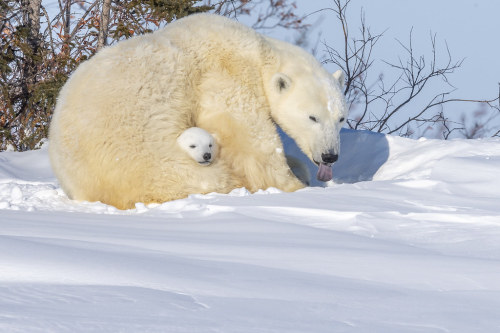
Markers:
406,240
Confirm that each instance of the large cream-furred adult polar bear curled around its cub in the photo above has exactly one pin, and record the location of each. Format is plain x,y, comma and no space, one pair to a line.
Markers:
113,133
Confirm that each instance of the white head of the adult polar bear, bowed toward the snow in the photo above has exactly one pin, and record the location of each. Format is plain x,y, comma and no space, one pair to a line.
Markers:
307,102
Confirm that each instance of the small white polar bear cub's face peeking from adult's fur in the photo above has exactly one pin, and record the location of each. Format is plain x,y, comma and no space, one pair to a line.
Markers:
198,144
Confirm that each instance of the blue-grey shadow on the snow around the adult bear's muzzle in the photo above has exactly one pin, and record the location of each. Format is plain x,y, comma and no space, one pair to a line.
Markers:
362,153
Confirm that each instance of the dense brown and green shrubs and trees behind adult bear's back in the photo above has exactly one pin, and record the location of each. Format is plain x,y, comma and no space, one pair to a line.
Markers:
38,52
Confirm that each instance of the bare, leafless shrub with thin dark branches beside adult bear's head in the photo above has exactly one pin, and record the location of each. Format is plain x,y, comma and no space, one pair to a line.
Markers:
400,105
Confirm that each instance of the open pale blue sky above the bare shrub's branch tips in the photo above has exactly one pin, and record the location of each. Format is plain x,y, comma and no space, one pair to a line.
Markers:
470,28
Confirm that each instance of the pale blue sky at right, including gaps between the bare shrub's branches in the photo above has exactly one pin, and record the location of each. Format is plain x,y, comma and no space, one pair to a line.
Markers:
469,29
